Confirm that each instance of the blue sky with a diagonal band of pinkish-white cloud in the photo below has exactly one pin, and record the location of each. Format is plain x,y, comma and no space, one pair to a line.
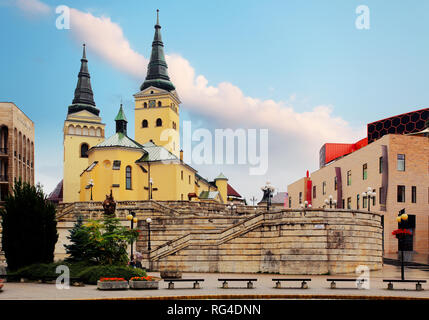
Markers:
302,70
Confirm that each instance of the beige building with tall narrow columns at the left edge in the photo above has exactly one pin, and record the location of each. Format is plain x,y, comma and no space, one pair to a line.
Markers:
16,147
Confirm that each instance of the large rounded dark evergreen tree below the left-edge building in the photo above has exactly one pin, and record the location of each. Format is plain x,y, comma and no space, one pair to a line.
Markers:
29,226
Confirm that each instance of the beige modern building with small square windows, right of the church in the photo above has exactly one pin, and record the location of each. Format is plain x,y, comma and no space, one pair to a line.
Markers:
396,169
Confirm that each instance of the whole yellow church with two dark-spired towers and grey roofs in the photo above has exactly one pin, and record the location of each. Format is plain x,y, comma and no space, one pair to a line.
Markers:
151,167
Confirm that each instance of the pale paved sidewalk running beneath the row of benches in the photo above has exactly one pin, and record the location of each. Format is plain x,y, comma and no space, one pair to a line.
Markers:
319,288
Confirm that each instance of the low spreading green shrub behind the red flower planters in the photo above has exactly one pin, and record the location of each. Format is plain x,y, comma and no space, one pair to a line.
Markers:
92,274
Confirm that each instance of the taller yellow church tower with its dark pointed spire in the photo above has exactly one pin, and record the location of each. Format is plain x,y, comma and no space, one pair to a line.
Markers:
157,104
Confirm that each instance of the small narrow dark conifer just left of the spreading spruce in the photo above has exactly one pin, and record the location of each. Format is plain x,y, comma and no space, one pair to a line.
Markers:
78,249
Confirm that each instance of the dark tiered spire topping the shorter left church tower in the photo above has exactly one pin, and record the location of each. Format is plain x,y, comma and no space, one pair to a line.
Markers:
83,95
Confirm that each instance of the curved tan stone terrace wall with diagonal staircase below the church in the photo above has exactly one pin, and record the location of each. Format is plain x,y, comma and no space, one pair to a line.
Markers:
205,237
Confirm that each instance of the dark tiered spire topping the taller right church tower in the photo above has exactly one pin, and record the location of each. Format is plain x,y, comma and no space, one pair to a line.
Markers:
157,74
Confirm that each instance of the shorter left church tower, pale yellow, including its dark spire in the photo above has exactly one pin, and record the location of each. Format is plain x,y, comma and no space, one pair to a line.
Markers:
82,130
